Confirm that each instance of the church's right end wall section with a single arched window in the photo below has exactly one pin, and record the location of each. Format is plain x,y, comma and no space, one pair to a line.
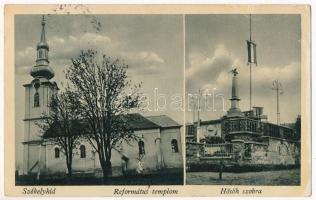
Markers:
171,159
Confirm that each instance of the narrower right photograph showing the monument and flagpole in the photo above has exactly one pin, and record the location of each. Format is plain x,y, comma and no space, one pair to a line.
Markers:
243,108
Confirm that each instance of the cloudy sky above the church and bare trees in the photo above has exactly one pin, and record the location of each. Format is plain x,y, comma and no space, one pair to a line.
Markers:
152,45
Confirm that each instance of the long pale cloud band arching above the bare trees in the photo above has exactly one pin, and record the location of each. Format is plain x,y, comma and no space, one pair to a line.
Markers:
63,49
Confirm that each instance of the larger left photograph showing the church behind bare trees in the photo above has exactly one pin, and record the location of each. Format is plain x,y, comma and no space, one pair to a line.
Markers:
99,99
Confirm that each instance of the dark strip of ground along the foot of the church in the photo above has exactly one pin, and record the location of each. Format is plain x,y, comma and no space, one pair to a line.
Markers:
159,178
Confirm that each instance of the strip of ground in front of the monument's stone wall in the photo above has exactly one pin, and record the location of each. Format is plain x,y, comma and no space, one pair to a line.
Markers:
276,177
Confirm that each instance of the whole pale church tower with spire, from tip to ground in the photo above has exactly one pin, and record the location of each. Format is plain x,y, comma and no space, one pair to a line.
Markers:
37,96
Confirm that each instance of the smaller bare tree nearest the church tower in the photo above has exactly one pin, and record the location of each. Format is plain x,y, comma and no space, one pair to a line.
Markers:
62,124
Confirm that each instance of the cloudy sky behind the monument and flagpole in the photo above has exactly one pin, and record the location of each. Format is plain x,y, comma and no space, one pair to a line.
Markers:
215,43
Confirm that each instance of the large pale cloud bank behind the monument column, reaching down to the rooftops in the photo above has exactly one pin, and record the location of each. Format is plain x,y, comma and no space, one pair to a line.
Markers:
212,74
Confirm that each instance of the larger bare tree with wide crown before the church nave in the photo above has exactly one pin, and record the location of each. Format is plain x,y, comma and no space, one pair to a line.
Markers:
106,96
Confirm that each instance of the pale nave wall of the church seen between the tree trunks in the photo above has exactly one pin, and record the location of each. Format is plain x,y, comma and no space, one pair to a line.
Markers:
91,162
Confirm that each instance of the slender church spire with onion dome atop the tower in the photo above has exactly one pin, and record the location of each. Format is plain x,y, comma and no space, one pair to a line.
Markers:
42,68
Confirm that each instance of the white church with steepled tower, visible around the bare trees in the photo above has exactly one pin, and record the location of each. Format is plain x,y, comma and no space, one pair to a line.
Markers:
159,144
